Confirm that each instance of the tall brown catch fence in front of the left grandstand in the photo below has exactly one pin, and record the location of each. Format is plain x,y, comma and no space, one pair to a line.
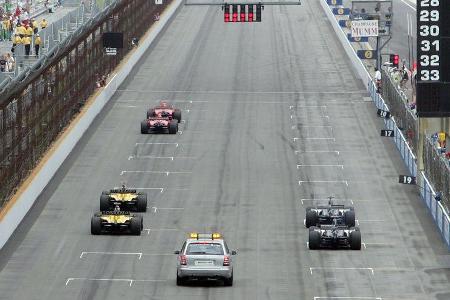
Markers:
36,106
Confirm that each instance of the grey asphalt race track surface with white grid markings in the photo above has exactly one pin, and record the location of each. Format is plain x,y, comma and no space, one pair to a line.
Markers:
274,121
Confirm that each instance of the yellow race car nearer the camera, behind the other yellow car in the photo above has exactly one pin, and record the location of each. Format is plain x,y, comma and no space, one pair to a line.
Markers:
116,222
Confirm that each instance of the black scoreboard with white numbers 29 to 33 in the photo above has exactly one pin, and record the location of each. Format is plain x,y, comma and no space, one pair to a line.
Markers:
433,55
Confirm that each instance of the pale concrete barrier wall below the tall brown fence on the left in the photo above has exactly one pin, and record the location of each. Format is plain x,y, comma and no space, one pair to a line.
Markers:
31,192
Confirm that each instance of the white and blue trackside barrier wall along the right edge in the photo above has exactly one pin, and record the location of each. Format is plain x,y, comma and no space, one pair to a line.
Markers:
427,193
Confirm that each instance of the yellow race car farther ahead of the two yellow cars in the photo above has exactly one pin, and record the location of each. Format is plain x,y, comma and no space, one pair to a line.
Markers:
126,199
